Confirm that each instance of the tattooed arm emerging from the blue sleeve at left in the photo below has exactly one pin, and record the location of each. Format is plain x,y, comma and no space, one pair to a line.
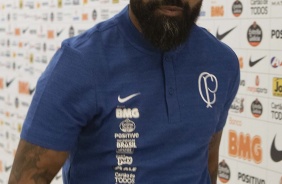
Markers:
35,165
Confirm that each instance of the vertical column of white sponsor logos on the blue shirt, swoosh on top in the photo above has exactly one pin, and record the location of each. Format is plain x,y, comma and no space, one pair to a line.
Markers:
125,171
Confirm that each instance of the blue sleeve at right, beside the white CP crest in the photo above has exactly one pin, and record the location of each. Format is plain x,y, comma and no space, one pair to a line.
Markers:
233,88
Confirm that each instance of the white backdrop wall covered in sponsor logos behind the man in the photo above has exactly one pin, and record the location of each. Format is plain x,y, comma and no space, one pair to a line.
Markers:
251,150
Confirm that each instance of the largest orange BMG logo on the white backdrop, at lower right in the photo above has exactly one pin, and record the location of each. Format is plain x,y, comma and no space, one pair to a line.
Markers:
244,147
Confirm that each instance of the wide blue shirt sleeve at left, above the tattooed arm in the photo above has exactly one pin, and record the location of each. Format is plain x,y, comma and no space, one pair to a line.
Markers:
63,103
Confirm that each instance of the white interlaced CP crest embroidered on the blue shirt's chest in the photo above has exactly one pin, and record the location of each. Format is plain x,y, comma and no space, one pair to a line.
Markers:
208,83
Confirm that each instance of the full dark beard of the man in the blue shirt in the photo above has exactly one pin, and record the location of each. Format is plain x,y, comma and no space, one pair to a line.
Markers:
165,32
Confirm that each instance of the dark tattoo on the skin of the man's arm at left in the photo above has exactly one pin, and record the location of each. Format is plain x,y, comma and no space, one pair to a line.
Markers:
28,165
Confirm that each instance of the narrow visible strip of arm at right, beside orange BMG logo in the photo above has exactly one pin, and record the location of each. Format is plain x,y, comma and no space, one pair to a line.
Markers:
213,156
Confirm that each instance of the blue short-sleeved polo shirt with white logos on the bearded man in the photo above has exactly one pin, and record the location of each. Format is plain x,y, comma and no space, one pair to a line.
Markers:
129,113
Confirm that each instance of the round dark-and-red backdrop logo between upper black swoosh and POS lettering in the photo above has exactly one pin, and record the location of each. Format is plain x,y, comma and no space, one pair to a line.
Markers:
254,34
